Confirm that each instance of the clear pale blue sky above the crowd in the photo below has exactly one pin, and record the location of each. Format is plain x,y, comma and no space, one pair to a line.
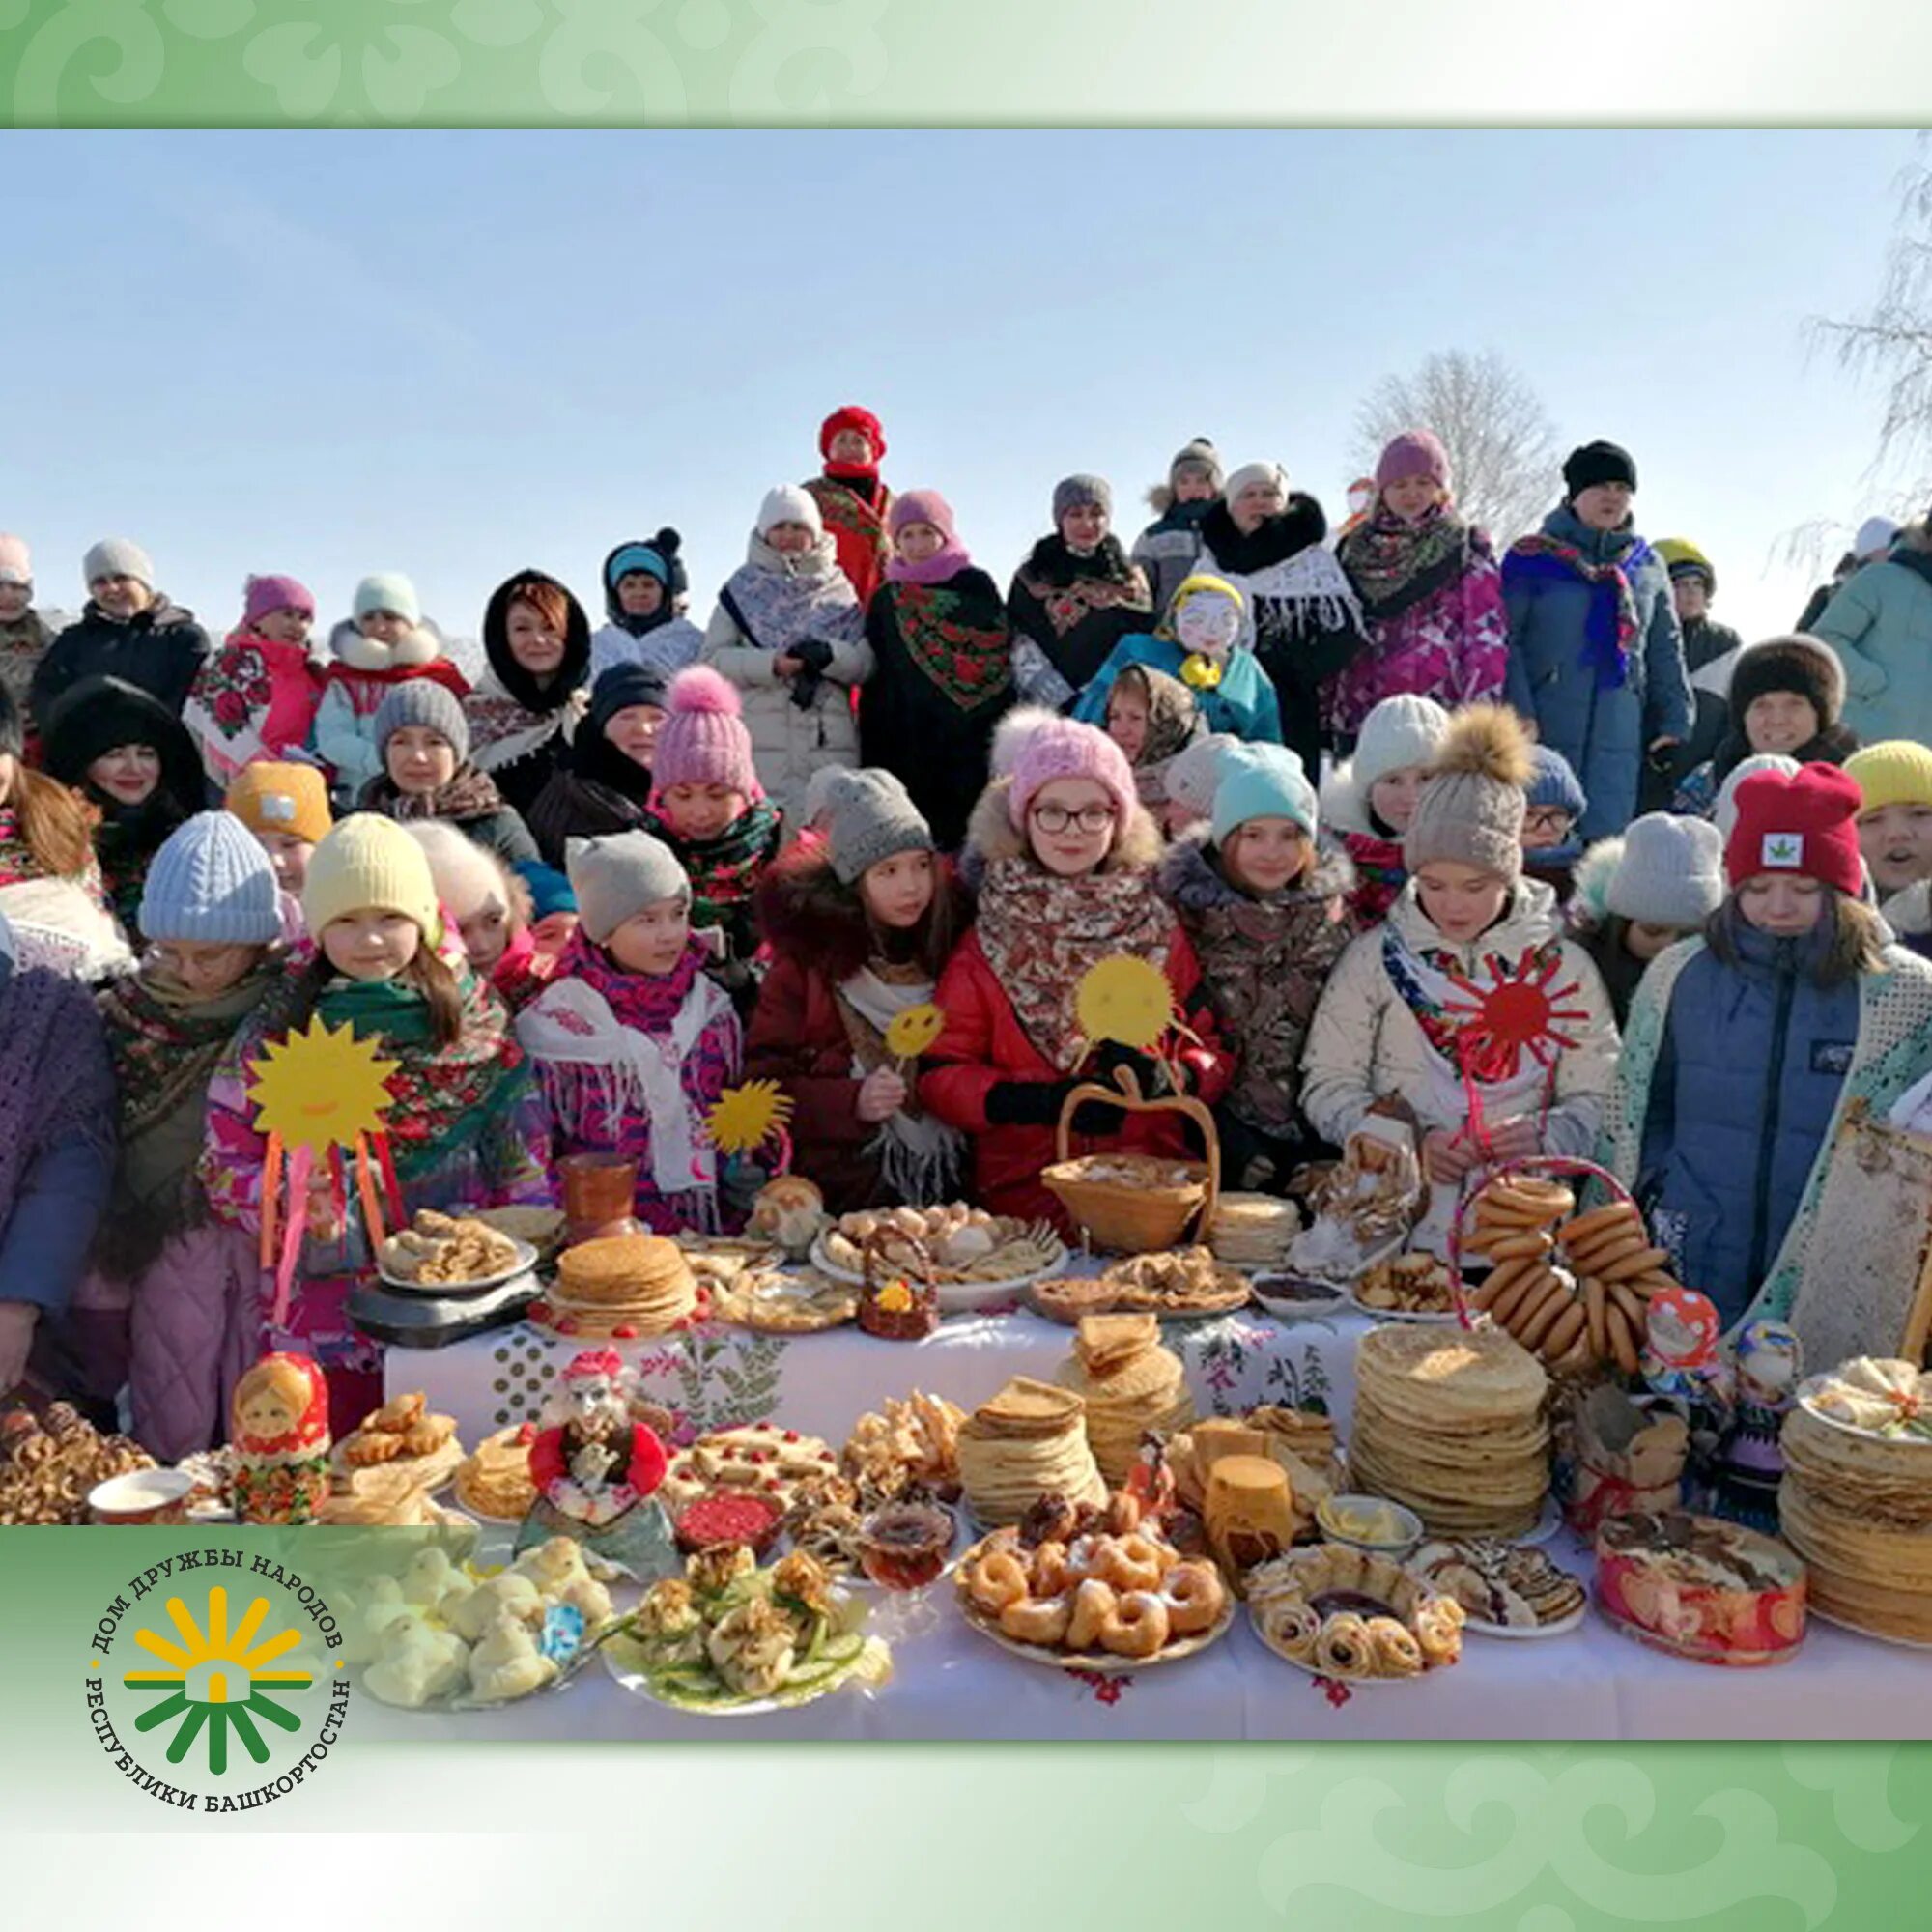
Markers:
463,355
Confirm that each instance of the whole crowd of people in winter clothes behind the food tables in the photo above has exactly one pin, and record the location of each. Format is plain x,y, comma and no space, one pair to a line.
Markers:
1525,849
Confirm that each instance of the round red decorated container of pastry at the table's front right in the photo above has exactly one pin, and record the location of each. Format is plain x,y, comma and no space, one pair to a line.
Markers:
1701,1589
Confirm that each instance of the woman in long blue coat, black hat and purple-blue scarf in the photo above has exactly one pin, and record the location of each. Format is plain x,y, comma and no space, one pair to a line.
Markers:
1595,648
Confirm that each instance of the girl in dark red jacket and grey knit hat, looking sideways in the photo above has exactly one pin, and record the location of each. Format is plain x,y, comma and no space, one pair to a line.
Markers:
859,924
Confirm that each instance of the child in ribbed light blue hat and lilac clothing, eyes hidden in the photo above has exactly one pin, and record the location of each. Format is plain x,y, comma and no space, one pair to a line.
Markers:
181,1288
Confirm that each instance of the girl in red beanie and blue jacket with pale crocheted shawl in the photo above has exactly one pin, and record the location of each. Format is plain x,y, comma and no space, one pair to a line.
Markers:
1746,1046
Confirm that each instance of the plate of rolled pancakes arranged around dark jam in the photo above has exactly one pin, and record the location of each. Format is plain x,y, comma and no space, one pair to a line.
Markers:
1353,1616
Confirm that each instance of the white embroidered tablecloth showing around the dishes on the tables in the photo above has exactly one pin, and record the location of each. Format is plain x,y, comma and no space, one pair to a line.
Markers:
952,1684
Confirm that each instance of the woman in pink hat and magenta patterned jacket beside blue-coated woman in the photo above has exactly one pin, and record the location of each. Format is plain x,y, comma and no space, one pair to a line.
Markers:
1433,596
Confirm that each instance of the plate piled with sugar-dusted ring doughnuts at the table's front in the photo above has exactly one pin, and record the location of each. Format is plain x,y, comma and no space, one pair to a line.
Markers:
1114,1599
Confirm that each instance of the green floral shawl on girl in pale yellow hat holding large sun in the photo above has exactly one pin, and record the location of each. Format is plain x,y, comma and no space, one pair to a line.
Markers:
443,1098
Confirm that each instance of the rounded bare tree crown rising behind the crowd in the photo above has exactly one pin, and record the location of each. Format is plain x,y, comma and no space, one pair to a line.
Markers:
1502,449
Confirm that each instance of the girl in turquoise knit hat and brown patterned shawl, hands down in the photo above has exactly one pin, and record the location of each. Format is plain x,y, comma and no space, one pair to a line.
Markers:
1268,913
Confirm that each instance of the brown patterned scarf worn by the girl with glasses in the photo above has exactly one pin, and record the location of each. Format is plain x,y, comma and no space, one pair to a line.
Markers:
1042,932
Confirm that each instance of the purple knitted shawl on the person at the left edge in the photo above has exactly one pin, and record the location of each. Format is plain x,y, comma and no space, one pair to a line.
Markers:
47,1096
